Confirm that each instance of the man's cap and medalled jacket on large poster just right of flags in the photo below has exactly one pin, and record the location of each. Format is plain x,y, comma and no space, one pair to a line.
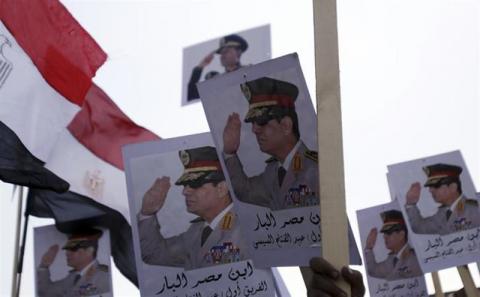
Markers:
223,245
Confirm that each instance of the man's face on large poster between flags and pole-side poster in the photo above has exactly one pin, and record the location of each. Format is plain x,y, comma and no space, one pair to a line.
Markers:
201,200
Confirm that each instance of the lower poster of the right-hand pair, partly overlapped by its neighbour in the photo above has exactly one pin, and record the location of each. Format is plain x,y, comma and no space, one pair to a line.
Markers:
391,262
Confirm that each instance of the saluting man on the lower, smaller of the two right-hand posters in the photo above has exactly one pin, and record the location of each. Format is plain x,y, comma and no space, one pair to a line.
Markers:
402,261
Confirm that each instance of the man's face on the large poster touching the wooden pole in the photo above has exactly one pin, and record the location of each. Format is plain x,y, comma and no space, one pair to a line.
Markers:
270,136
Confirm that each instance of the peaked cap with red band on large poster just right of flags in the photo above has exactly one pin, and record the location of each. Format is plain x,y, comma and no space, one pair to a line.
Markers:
201,166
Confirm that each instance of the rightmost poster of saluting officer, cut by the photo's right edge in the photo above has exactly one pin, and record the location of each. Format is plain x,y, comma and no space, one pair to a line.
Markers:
437,198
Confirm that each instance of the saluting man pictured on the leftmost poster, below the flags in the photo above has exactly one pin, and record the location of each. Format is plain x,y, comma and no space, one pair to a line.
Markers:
87,277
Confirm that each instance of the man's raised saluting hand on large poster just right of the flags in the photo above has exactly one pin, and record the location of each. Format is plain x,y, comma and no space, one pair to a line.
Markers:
155,197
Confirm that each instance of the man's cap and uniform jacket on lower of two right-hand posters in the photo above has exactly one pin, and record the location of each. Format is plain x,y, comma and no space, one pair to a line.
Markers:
394,267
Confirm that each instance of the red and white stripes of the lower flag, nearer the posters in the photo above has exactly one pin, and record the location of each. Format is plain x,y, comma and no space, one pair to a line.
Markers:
89,153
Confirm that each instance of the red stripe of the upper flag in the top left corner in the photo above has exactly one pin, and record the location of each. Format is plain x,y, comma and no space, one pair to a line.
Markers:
65,54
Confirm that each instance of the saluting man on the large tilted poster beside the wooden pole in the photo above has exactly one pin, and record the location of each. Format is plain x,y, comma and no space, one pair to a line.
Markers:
290,178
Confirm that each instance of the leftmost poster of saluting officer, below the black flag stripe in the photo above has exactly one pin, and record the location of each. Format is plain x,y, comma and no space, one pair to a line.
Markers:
76,264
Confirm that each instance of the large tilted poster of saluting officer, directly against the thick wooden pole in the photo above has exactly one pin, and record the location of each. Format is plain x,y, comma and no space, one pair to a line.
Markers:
264,126
